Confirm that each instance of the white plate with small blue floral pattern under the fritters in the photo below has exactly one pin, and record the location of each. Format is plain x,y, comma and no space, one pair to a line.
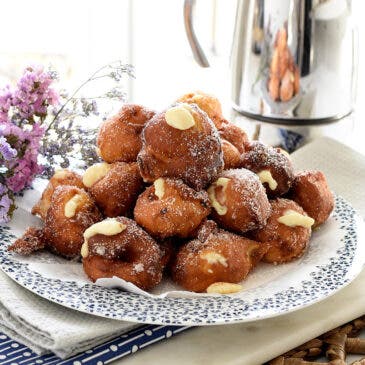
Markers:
334,258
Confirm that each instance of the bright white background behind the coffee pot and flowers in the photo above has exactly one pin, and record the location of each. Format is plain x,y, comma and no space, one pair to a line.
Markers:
79,36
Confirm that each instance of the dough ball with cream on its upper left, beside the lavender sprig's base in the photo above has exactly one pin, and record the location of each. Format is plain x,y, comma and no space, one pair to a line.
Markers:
114,187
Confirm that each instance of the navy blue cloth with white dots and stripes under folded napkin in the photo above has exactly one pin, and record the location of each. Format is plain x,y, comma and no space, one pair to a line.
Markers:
14,353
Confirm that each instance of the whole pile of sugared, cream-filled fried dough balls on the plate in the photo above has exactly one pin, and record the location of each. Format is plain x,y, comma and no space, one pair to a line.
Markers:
181,192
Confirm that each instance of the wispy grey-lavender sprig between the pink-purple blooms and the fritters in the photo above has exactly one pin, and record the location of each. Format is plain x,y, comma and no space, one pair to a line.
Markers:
71,141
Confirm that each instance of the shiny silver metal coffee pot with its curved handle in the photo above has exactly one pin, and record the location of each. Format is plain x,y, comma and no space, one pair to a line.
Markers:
292,61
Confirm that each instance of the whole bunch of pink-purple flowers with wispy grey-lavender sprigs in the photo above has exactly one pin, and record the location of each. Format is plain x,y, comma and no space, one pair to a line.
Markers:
41,128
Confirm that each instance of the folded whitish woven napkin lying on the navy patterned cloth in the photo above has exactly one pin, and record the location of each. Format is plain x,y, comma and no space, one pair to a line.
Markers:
44,326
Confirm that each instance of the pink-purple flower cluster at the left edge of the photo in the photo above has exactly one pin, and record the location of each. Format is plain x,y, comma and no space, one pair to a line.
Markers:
23,109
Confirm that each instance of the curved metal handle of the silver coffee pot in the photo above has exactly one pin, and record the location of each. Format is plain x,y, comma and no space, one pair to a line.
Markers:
198,52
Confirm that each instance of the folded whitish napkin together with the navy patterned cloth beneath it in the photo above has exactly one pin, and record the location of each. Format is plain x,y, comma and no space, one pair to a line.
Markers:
46,327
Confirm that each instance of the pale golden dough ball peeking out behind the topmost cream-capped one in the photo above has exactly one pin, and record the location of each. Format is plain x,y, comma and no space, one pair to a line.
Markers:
208,103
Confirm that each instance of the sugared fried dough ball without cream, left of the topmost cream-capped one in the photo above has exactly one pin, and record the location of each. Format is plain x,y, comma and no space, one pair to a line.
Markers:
119,136
